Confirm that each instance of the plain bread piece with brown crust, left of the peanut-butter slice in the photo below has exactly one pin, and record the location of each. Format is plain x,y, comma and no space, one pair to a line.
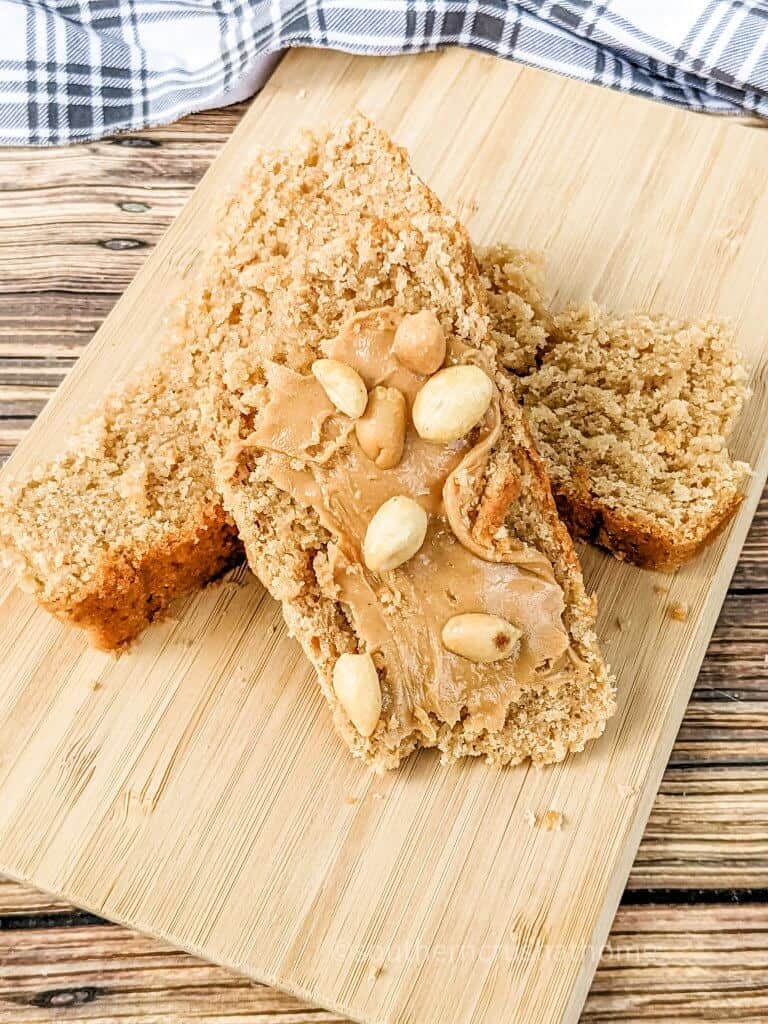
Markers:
125,519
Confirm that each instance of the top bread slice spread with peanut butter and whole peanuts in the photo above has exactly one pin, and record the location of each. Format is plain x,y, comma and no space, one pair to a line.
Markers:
323,252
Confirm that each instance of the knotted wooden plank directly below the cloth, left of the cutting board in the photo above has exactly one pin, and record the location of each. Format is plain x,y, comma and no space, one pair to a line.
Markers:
114,199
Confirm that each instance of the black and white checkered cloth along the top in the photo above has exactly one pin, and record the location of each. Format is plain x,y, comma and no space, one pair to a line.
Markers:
76,70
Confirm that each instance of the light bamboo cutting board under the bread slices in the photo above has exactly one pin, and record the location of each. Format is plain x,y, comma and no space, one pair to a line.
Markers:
193,788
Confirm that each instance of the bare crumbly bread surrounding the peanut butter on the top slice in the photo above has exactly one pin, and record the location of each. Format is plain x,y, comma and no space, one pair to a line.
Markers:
336,226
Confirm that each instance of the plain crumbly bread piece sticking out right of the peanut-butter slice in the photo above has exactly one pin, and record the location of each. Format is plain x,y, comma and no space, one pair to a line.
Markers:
631,415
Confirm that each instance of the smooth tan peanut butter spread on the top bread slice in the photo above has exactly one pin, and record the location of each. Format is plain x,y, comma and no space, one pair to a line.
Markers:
309,449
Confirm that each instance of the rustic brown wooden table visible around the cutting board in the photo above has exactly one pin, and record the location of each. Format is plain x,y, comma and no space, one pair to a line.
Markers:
691,940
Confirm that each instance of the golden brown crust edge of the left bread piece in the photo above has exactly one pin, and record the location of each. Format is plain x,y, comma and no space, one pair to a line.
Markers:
127,596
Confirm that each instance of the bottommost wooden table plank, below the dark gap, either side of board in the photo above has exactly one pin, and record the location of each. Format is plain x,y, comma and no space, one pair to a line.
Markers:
661,964
